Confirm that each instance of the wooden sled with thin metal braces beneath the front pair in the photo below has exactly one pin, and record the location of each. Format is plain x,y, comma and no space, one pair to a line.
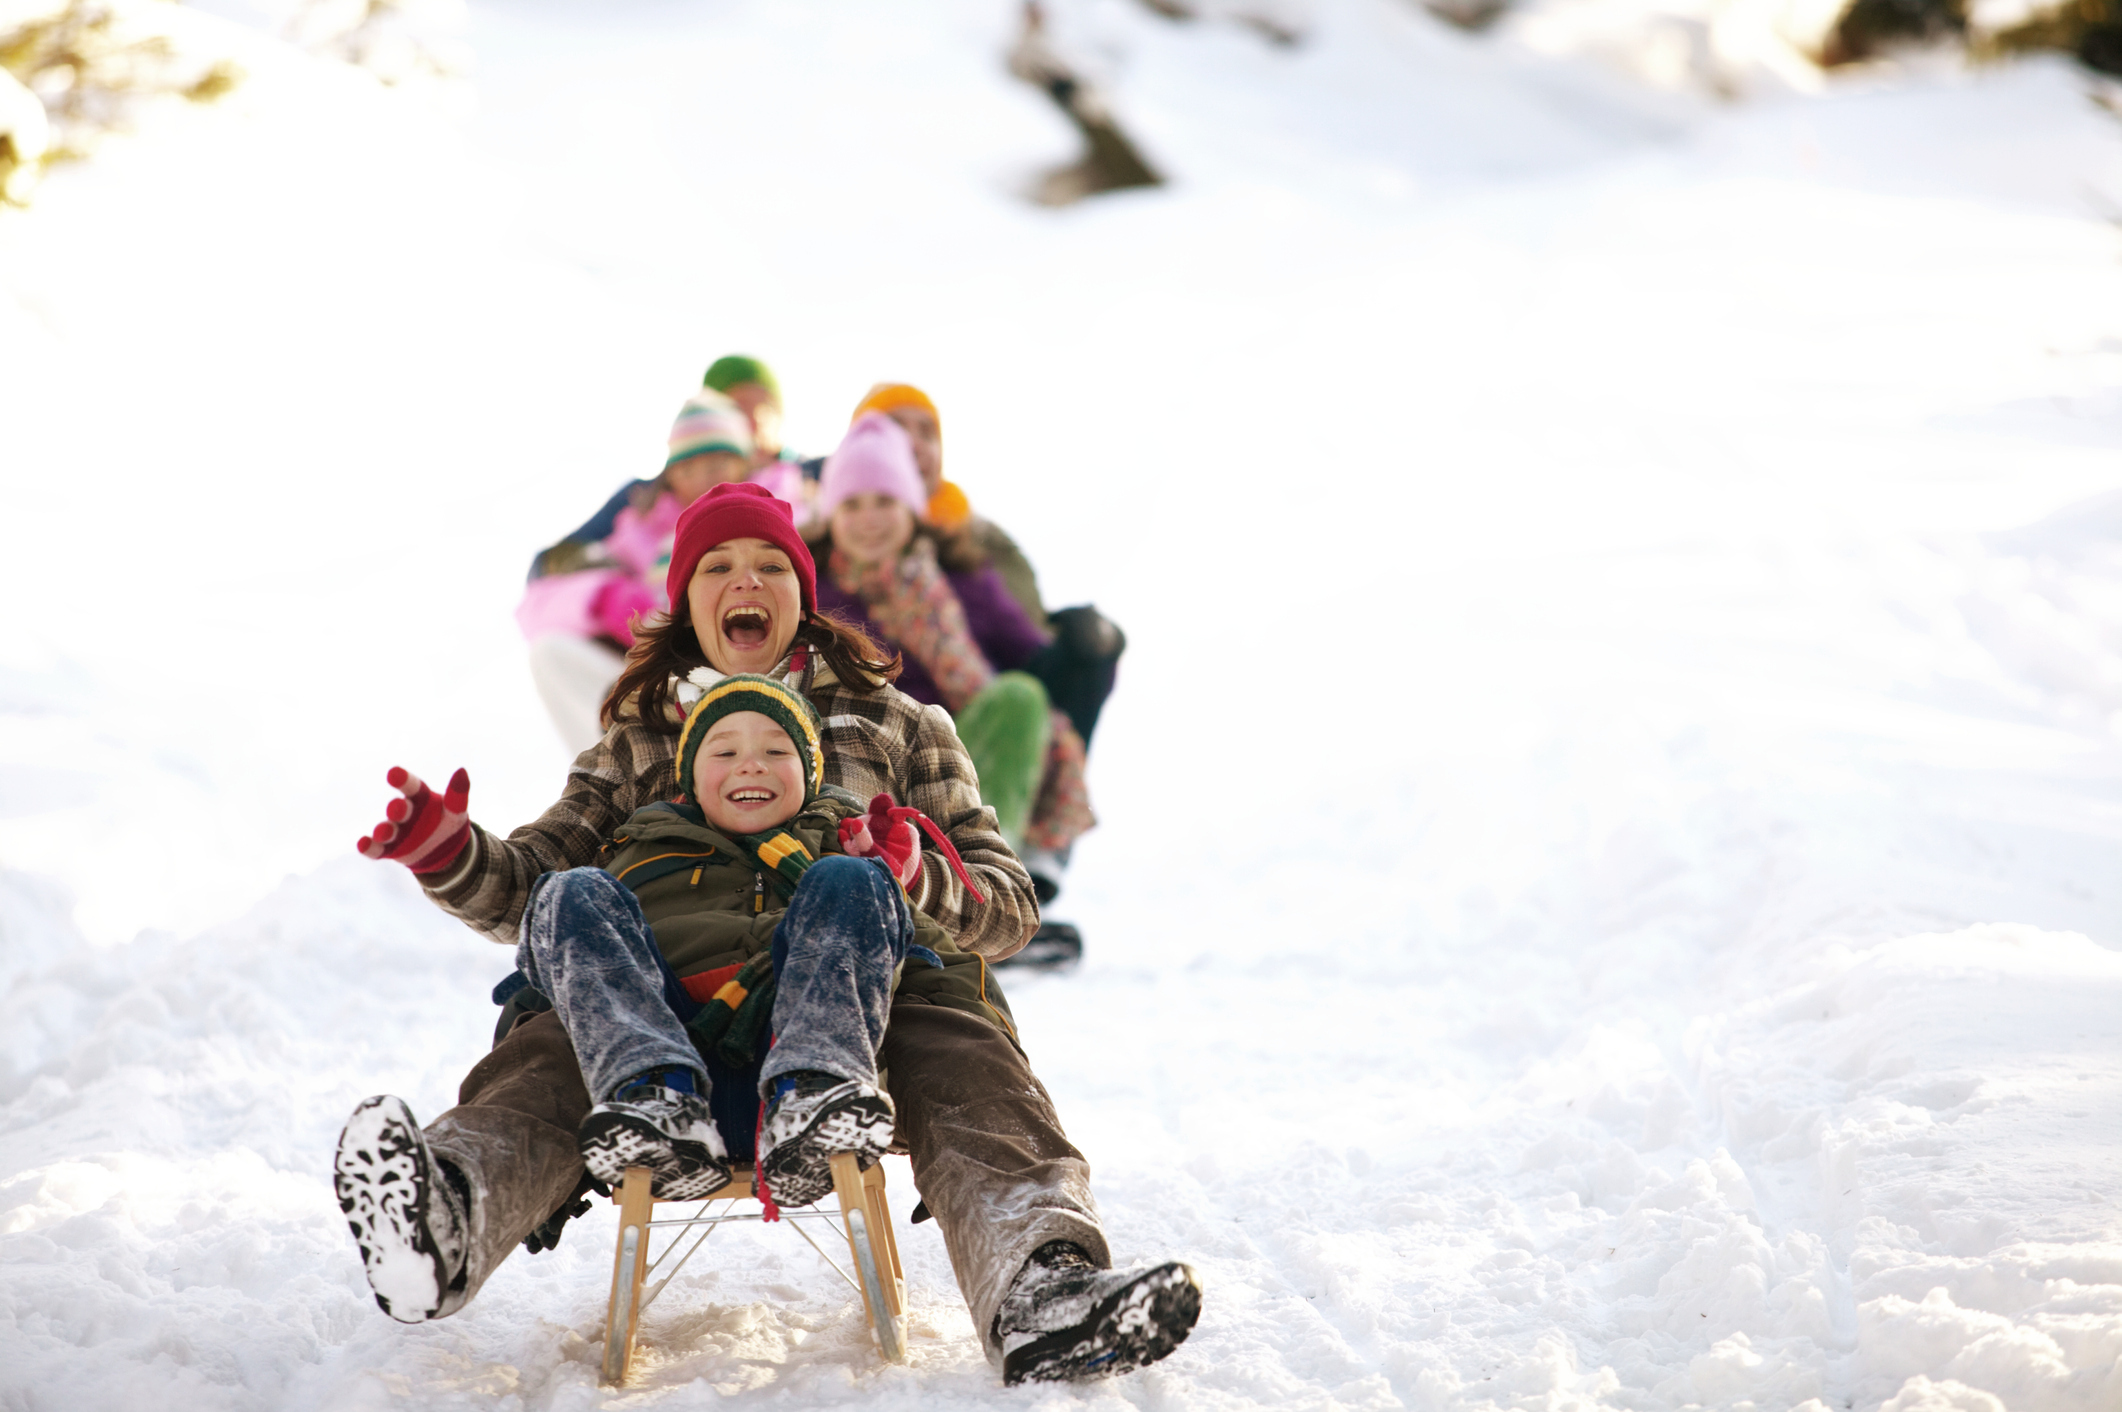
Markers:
865,1222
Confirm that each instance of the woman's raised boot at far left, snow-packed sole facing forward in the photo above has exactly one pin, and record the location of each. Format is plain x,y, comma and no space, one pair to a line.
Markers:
408,1211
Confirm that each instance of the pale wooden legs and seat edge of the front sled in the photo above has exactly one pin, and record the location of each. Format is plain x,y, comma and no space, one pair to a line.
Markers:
865,1218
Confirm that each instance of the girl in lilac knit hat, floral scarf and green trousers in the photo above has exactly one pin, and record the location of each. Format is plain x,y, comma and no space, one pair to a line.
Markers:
962,636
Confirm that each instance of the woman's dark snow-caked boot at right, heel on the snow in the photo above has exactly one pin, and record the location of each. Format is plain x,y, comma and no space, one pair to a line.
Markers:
1066,1320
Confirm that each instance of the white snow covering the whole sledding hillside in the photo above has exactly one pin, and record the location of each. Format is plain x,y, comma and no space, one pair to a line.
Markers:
1607,880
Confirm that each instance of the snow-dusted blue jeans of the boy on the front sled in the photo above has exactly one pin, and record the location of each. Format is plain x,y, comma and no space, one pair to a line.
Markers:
589,950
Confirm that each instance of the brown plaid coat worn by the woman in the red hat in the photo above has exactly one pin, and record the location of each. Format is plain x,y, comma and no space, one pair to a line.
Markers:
875,742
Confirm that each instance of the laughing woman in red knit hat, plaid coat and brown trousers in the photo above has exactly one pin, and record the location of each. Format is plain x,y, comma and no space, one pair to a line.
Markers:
990,1158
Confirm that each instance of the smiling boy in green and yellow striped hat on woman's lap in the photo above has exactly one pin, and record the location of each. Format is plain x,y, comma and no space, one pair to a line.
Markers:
776,912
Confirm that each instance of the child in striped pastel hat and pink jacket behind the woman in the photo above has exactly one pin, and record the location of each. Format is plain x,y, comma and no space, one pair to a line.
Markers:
587,591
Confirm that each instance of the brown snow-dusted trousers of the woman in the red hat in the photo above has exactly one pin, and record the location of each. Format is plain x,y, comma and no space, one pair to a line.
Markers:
986,1141
